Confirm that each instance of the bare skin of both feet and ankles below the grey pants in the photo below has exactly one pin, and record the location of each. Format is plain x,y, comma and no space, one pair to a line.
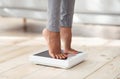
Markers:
54,42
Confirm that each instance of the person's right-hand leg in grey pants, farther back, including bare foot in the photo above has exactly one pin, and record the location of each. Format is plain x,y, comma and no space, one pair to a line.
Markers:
67,11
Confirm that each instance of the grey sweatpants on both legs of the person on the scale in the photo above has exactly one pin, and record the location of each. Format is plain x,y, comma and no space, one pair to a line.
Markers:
60,13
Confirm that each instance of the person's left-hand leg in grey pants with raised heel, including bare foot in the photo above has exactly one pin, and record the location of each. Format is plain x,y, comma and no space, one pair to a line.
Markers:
51,33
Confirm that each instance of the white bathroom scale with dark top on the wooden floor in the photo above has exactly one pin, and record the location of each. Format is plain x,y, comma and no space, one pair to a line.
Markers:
43,58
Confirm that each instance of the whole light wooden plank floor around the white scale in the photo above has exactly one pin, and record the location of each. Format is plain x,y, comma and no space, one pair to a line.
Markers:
103,61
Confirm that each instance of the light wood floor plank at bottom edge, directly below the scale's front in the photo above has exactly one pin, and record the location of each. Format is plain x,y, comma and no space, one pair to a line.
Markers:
46,73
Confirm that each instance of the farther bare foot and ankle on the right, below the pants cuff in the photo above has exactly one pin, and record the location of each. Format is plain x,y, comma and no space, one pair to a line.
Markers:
66,35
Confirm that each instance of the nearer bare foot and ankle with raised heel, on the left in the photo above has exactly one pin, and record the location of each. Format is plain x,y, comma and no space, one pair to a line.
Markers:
54,45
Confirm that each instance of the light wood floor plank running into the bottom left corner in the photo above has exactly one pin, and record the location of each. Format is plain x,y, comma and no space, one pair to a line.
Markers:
20,71
